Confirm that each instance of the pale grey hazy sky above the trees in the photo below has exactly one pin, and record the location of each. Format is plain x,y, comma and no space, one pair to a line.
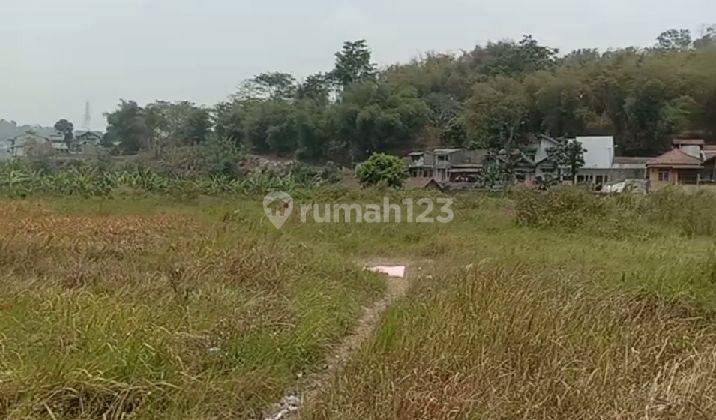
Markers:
57,55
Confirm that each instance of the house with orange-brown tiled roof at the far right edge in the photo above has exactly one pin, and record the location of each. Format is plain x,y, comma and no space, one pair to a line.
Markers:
689,162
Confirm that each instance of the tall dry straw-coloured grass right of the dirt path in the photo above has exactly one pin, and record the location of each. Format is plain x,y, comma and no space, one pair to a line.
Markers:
492,342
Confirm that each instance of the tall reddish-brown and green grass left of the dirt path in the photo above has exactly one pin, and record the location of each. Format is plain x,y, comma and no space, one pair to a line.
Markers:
160,314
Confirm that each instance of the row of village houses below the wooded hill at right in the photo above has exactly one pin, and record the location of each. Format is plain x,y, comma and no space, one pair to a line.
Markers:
689,162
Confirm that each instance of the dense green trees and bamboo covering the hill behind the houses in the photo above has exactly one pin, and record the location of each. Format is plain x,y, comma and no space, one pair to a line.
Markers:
495,96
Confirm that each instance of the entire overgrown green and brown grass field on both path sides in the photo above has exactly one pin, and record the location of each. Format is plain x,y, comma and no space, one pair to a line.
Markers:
152,307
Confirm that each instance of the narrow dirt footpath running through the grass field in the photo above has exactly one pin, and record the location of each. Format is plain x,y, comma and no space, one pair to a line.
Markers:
290,405
